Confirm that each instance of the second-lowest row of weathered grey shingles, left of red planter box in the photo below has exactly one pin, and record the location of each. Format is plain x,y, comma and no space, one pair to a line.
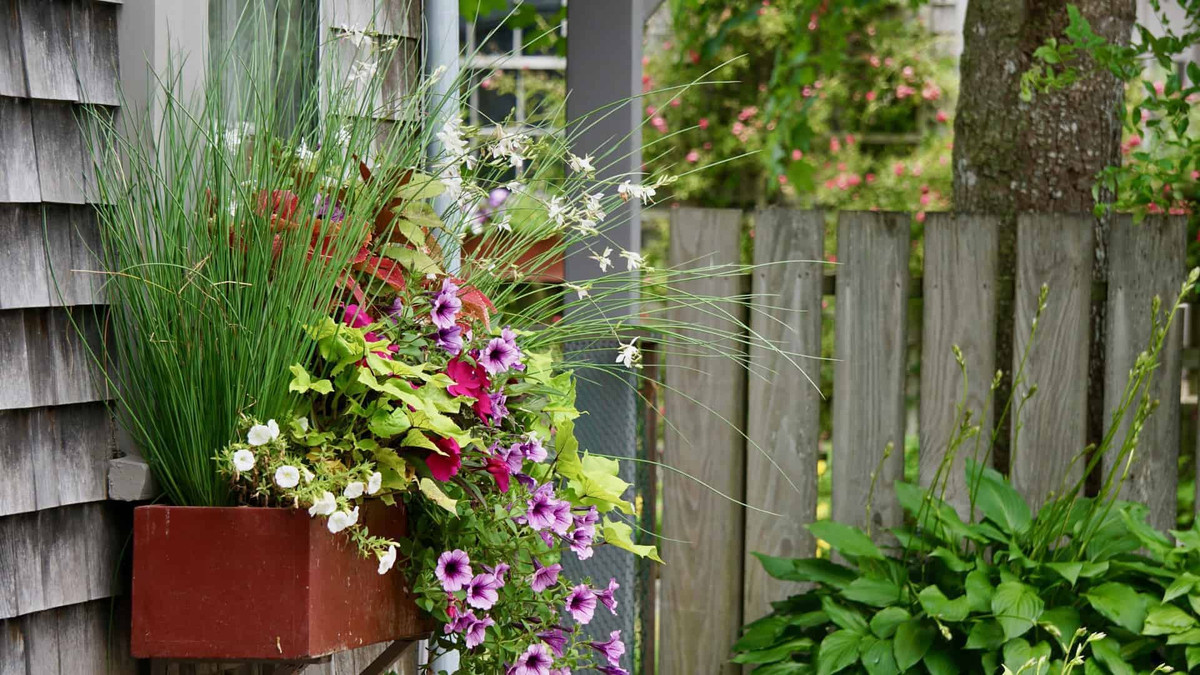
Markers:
59,557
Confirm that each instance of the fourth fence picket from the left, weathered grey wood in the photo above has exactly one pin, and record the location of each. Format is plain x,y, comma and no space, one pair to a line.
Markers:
959,310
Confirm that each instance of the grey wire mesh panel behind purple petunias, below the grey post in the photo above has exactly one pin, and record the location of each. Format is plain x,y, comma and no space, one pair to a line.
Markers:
609,426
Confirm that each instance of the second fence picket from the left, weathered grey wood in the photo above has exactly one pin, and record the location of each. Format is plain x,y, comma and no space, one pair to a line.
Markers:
784,404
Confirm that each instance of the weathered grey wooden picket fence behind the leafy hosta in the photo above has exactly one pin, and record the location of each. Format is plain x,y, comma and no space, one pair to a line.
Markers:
712,584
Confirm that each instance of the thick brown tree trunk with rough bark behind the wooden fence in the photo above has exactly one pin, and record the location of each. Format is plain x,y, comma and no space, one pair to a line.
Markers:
1013,158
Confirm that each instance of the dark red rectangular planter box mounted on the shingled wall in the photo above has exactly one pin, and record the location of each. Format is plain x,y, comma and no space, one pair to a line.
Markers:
244,583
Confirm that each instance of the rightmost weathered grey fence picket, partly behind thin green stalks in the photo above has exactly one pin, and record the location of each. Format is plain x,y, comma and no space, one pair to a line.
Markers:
1145,261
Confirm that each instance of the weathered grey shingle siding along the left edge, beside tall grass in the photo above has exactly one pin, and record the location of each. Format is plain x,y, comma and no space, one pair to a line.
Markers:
61,542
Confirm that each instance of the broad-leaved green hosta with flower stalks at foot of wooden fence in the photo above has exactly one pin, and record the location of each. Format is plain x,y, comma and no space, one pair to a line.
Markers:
1083,586
